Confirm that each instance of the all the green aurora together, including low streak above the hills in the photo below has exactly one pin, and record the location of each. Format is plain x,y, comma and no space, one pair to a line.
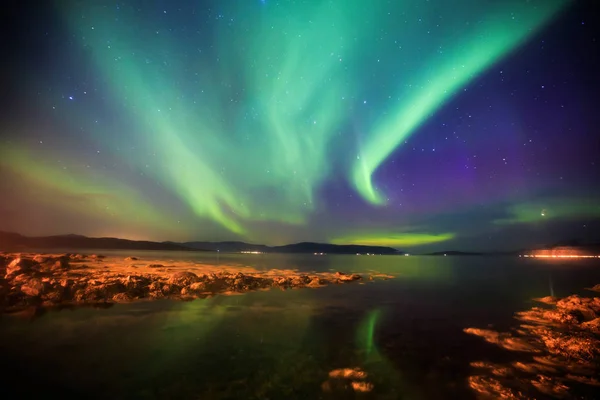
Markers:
245,121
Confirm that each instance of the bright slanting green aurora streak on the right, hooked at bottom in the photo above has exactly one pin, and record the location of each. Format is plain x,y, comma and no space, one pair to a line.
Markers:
443,75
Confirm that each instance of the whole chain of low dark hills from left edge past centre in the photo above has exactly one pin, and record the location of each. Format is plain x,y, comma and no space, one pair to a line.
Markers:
15,241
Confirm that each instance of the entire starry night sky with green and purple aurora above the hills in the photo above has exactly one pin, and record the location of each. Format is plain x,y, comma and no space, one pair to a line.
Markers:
421,125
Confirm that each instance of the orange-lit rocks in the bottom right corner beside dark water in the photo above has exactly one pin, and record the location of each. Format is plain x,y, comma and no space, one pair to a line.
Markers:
556,352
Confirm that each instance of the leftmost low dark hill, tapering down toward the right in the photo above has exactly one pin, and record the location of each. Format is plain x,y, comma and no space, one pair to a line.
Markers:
9,240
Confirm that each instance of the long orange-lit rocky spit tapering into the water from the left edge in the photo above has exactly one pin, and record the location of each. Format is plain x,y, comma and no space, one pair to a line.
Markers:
63,280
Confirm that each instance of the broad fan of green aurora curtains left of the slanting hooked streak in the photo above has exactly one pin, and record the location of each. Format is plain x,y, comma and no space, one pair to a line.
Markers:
265,163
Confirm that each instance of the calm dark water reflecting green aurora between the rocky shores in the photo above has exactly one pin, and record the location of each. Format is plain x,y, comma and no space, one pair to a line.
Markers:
406,333
